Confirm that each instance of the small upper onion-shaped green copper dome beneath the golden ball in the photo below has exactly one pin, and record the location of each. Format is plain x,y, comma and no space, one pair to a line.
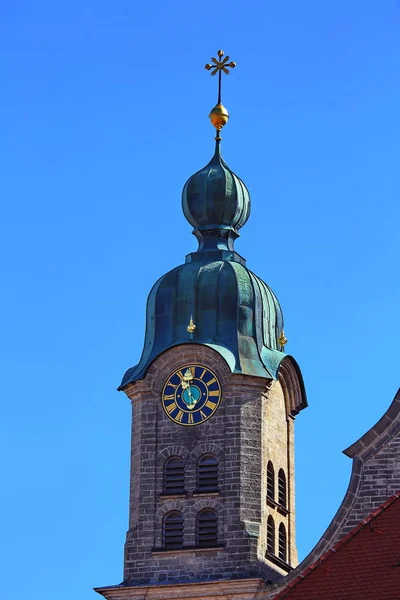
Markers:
216,203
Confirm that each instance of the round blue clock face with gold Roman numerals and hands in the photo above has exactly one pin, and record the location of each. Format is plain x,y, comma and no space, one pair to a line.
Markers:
191,395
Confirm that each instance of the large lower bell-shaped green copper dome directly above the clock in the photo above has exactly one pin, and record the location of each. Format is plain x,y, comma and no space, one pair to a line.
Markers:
233,310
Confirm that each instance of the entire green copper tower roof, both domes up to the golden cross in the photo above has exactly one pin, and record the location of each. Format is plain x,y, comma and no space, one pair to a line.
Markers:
213,299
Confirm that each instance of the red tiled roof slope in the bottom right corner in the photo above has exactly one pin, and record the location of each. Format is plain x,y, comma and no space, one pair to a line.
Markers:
364,565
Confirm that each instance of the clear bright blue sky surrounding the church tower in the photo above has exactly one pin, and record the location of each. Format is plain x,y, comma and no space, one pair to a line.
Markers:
104,116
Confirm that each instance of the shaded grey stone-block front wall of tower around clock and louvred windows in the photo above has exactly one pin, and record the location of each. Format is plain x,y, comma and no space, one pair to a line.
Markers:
235,435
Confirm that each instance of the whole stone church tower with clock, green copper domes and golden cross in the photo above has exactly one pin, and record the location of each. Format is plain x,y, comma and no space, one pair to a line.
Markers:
214,397
